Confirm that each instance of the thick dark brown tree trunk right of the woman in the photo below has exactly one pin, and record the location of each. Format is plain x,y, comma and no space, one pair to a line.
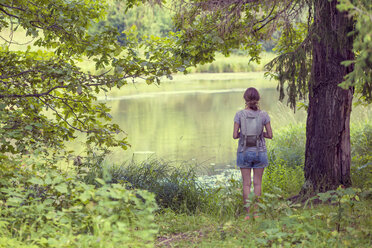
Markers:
327,156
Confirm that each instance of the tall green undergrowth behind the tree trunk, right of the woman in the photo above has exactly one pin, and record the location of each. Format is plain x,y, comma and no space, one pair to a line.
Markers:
286,158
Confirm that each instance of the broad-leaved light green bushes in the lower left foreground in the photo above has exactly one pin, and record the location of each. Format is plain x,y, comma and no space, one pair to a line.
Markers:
50,208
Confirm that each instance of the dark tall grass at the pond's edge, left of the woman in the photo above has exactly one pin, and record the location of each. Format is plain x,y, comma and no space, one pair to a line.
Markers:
175,187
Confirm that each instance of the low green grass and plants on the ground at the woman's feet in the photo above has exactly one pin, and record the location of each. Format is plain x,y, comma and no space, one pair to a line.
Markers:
297,227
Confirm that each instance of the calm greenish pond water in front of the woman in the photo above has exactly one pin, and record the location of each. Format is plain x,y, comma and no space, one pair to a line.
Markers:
192,123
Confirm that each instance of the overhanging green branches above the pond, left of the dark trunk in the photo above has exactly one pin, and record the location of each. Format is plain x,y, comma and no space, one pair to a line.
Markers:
246,25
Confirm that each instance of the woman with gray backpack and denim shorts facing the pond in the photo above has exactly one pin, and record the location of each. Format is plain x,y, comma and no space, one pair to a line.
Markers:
252,152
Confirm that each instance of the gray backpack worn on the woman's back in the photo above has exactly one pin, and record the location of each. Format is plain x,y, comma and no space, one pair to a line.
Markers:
250,130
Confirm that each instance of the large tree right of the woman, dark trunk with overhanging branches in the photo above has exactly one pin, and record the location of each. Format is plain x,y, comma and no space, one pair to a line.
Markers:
315,55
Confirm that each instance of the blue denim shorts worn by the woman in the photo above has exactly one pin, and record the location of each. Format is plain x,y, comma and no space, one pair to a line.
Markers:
249,159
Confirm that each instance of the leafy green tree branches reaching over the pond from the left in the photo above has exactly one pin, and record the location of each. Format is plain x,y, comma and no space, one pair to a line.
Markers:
46,93
